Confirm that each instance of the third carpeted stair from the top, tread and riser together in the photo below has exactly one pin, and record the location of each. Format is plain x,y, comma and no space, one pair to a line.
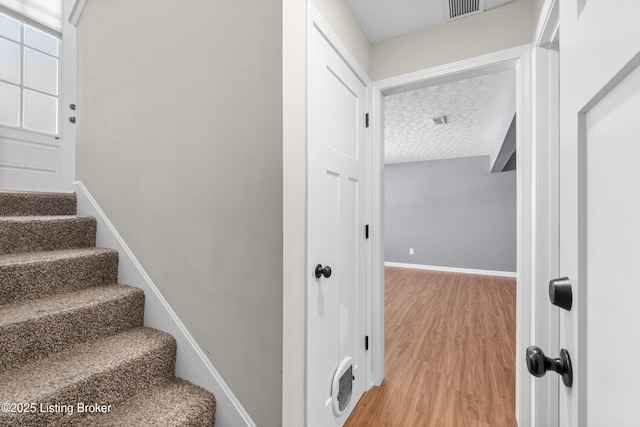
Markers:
32,275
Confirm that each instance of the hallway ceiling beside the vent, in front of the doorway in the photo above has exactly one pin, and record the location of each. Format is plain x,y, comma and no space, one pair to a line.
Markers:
384,19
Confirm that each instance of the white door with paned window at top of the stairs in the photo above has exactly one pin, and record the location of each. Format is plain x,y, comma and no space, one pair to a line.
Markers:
37,86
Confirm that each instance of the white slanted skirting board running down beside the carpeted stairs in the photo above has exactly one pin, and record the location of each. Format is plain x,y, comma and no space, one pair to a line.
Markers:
191,362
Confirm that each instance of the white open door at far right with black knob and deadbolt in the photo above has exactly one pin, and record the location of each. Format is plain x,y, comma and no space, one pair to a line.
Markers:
600,209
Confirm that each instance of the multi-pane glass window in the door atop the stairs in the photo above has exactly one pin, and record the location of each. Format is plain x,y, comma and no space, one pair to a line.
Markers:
29,76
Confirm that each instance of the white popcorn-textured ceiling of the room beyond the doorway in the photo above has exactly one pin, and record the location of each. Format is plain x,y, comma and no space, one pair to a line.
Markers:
475,109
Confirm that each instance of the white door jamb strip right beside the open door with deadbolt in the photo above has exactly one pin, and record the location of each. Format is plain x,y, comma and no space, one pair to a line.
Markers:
545,323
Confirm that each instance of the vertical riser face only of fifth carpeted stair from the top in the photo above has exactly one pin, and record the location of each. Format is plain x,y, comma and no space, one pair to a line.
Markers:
108,388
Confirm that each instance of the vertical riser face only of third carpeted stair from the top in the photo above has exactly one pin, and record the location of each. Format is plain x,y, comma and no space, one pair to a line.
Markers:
20,282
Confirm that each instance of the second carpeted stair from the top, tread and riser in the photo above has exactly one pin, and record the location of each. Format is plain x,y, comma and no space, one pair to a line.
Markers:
43,233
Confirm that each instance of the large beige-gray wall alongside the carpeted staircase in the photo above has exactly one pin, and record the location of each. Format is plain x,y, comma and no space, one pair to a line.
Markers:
180,142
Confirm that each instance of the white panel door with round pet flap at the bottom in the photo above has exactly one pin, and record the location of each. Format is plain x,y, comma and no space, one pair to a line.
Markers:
336,236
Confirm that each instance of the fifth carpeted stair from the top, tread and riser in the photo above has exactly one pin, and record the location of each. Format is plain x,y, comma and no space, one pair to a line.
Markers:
105,371
